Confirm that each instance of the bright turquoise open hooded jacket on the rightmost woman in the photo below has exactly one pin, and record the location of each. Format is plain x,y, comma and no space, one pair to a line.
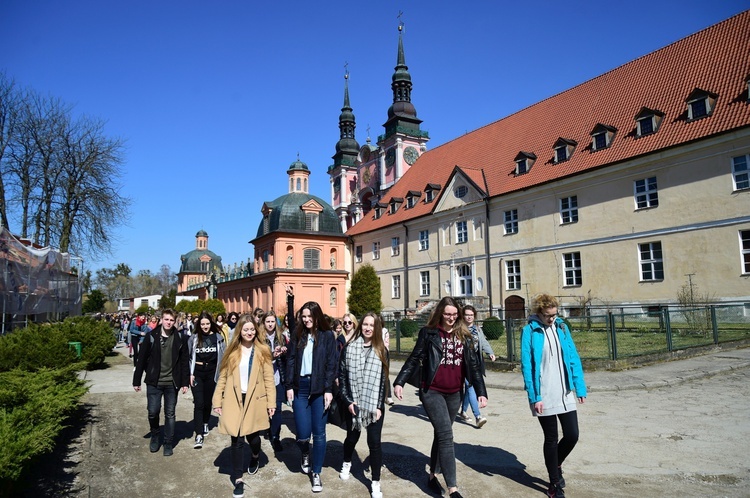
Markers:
532,346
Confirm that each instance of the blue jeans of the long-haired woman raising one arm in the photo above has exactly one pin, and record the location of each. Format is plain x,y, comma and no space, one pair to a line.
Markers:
310,419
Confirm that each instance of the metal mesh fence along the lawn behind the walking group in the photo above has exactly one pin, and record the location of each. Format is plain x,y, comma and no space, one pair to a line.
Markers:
613,336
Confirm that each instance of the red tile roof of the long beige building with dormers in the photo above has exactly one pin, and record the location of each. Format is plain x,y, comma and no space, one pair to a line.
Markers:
716,59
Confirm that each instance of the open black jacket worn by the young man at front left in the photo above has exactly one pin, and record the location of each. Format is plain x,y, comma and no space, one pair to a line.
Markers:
149,359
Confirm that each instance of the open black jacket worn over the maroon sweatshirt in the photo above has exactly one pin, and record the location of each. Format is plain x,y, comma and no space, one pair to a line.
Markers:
429,349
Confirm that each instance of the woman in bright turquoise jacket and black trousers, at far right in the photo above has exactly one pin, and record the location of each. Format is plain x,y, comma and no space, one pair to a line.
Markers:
552,372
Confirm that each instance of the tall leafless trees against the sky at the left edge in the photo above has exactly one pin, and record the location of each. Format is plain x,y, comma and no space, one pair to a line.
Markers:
63,174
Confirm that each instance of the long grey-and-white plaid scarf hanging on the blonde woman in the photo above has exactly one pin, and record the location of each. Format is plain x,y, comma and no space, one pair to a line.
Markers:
365,375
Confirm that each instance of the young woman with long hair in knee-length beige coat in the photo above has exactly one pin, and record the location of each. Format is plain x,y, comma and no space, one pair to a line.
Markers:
245,396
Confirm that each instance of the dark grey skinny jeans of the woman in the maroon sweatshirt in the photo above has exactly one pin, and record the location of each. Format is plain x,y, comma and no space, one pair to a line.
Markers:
442,409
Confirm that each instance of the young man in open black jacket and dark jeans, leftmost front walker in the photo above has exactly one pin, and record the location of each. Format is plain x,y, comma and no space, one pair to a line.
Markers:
164,358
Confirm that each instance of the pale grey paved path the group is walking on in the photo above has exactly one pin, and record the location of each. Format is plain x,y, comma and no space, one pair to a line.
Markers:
677,428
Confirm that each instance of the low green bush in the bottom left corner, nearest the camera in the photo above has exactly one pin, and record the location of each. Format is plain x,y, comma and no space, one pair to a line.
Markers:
34,407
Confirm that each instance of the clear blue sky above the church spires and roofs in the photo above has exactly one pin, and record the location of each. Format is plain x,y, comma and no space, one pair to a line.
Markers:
215,99
